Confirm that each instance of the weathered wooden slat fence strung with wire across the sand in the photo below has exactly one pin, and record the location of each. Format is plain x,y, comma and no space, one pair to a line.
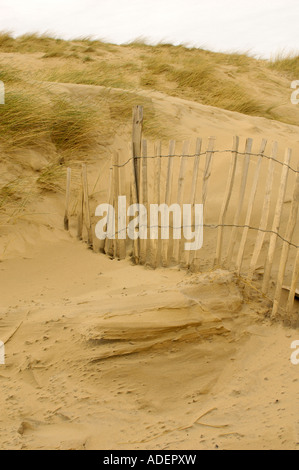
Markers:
255,223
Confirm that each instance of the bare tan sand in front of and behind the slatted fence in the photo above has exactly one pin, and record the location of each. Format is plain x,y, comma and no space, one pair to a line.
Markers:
102,354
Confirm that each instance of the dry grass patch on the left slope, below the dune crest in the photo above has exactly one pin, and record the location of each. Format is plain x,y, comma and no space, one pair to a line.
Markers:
72,125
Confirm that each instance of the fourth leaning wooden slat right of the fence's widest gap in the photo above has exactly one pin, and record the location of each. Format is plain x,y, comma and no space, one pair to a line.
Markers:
265,214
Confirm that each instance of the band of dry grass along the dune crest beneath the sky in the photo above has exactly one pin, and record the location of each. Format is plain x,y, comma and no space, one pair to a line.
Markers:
194,73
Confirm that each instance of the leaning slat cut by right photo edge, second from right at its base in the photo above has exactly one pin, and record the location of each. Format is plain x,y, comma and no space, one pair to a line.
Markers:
286,246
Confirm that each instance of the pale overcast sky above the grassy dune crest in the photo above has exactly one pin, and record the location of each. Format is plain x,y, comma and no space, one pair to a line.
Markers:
263,27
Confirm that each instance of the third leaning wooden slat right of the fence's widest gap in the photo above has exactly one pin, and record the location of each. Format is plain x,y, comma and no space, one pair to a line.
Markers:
250,207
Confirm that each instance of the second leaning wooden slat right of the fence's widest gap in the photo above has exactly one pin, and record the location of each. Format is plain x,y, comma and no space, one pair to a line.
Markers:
234,233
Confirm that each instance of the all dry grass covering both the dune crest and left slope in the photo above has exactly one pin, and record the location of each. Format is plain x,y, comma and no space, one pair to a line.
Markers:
37,115
